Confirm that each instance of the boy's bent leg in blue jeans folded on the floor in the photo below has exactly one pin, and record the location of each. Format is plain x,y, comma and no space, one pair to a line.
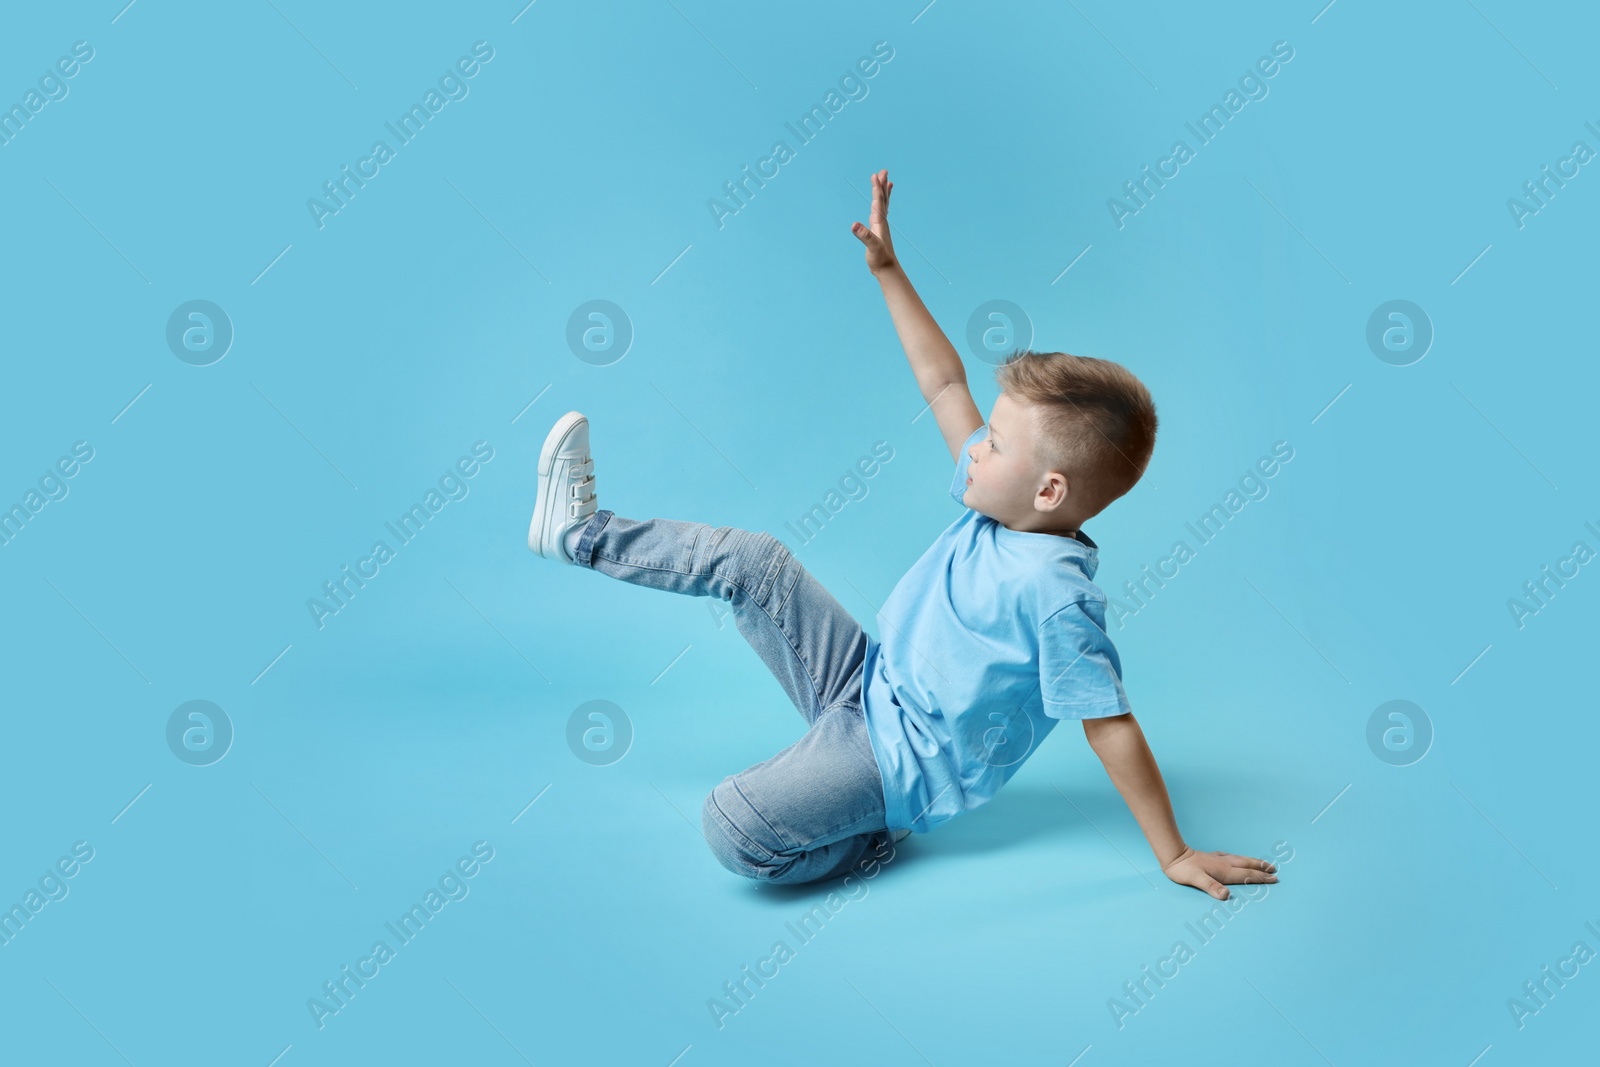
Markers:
812,812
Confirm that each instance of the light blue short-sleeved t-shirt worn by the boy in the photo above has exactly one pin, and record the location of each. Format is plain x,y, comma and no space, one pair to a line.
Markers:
986,642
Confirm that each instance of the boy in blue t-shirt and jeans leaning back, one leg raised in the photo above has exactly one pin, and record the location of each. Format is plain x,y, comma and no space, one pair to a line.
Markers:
994,636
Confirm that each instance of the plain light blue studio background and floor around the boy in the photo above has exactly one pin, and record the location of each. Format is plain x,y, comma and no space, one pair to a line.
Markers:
428,714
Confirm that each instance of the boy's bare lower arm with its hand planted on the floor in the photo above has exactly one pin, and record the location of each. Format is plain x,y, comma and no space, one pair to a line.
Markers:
1127,757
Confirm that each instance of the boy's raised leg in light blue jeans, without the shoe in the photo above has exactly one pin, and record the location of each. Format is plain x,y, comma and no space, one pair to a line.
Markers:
807,639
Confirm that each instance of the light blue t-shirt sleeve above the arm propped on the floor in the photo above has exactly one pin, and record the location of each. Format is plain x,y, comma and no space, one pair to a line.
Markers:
1079,669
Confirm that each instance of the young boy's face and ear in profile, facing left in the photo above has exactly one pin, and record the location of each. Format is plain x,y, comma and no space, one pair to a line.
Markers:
1004,481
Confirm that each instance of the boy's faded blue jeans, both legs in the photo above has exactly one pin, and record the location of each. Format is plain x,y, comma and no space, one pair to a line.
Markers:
817,809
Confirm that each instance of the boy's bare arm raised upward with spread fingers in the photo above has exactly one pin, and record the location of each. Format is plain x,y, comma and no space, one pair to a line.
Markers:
934,359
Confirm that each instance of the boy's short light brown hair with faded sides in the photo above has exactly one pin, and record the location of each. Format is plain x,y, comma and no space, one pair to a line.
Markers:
1097,422
